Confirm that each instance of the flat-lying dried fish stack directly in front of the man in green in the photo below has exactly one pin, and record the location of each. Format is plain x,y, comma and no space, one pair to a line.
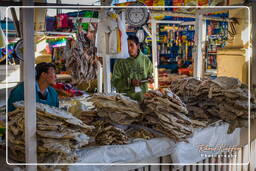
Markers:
117,108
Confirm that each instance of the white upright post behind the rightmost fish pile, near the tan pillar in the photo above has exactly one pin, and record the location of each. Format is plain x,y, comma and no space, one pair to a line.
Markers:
200,33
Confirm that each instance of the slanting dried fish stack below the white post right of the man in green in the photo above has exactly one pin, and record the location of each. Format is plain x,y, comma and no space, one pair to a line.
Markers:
167,114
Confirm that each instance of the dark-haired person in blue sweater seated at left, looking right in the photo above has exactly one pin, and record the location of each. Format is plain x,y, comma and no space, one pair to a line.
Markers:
45,77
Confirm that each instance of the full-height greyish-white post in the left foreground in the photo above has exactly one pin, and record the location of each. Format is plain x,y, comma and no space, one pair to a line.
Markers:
29,86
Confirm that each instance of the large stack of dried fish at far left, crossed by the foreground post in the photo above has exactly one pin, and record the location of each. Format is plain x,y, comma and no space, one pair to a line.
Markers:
59,134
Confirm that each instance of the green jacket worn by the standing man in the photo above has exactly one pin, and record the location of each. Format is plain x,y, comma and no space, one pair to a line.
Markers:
125,70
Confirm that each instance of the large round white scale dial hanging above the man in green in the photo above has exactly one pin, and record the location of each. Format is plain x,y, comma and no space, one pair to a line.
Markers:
137,17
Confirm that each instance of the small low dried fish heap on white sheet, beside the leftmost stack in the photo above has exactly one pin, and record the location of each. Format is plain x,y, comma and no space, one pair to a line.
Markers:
107,134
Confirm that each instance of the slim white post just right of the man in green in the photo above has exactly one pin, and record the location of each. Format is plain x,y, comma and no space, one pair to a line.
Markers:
154,53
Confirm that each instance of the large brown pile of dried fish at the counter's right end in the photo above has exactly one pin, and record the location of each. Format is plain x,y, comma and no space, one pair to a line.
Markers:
224,98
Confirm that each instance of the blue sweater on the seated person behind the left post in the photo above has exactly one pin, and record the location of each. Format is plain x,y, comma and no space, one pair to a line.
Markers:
17,94
